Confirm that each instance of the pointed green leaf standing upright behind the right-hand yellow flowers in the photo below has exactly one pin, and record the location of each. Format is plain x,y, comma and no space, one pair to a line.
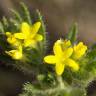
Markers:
72,34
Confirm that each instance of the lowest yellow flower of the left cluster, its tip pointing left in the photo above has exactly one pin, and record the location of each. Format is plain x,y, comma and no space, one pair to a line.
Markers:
15,54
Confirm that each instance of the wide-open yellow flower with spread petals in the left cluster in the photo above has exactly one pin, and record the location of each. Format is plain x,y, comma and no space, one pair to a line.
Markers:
29,34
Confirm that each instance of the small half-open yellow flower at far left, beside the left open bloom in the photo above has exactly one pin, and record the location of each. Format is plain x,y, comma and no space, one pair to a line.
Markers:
11,39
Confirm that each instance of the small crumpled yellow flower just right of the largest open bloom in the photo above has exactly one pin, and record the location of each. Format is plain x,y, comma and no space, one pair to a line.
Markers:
79,50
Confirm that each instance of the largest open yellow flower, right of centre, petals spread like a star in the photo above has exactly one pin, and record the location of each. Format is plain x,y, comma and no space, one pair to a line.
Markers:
62,57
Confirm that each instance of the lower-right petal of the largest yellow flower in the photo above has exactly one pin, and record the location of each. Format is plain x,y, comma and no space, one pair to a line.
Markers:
71,63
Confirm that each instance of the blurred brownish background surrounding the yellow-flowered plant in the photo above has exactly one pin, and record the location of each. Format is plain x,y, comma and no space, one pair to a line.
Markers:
59,15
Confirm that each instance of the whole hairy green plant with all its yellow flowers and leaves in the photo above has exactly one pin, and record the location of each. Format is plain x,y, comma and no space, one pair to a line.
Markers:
66,72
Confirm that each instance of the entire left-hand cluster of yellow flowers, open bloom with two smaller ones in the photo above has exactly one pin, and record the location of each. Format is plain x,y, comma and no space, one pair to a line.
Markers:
27,37
